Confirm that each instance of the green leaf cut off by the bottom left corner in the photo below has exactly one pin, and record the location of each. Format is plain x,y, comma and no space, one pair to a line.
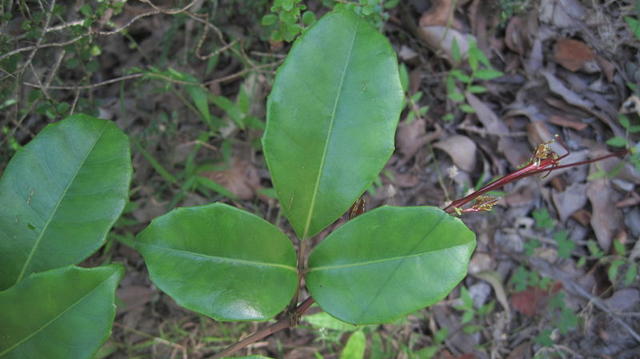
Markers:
63,313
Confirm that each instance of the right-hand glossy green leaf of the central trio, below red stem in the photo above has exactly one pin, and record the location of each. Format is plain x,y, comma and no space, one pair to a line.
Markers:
388,263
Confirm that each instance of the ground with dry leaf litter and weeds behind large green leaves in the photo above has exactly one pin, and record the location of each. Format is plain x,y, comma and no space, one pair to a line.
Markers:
555,271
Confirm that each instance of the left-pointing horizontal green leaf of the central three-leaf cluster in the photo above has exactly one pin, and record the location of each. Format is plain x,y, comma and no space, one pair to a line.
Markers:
220,261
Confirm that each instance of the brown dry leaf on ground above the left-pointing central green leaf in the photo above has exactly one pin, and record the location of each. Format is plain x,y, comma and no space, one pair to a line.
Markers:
241,179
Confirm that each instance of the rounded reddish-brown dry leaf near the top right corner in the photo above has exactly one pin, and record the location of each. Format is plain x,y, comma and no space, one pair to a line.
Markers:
574,55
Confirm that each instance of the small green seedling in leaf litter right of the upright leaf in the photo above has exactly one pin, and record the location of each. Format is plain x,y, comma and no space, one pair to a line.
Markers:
461,80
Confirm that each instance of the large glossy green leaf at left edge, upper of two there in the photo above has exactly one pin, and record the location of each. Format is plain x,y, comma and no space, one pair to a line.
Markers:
60,195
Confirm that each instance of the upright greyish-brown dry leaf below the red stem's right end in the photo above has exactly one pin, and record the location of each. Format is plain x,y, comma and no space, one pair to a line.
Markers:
606,219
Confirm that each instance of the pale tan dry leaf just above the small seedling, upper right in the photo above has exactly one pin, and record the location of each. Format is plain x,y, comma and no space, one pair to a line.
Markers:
440,40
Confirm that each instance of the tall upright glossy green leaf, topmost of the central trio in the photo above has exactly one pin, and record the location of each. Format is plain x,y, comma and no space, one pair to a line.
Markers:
331,119
